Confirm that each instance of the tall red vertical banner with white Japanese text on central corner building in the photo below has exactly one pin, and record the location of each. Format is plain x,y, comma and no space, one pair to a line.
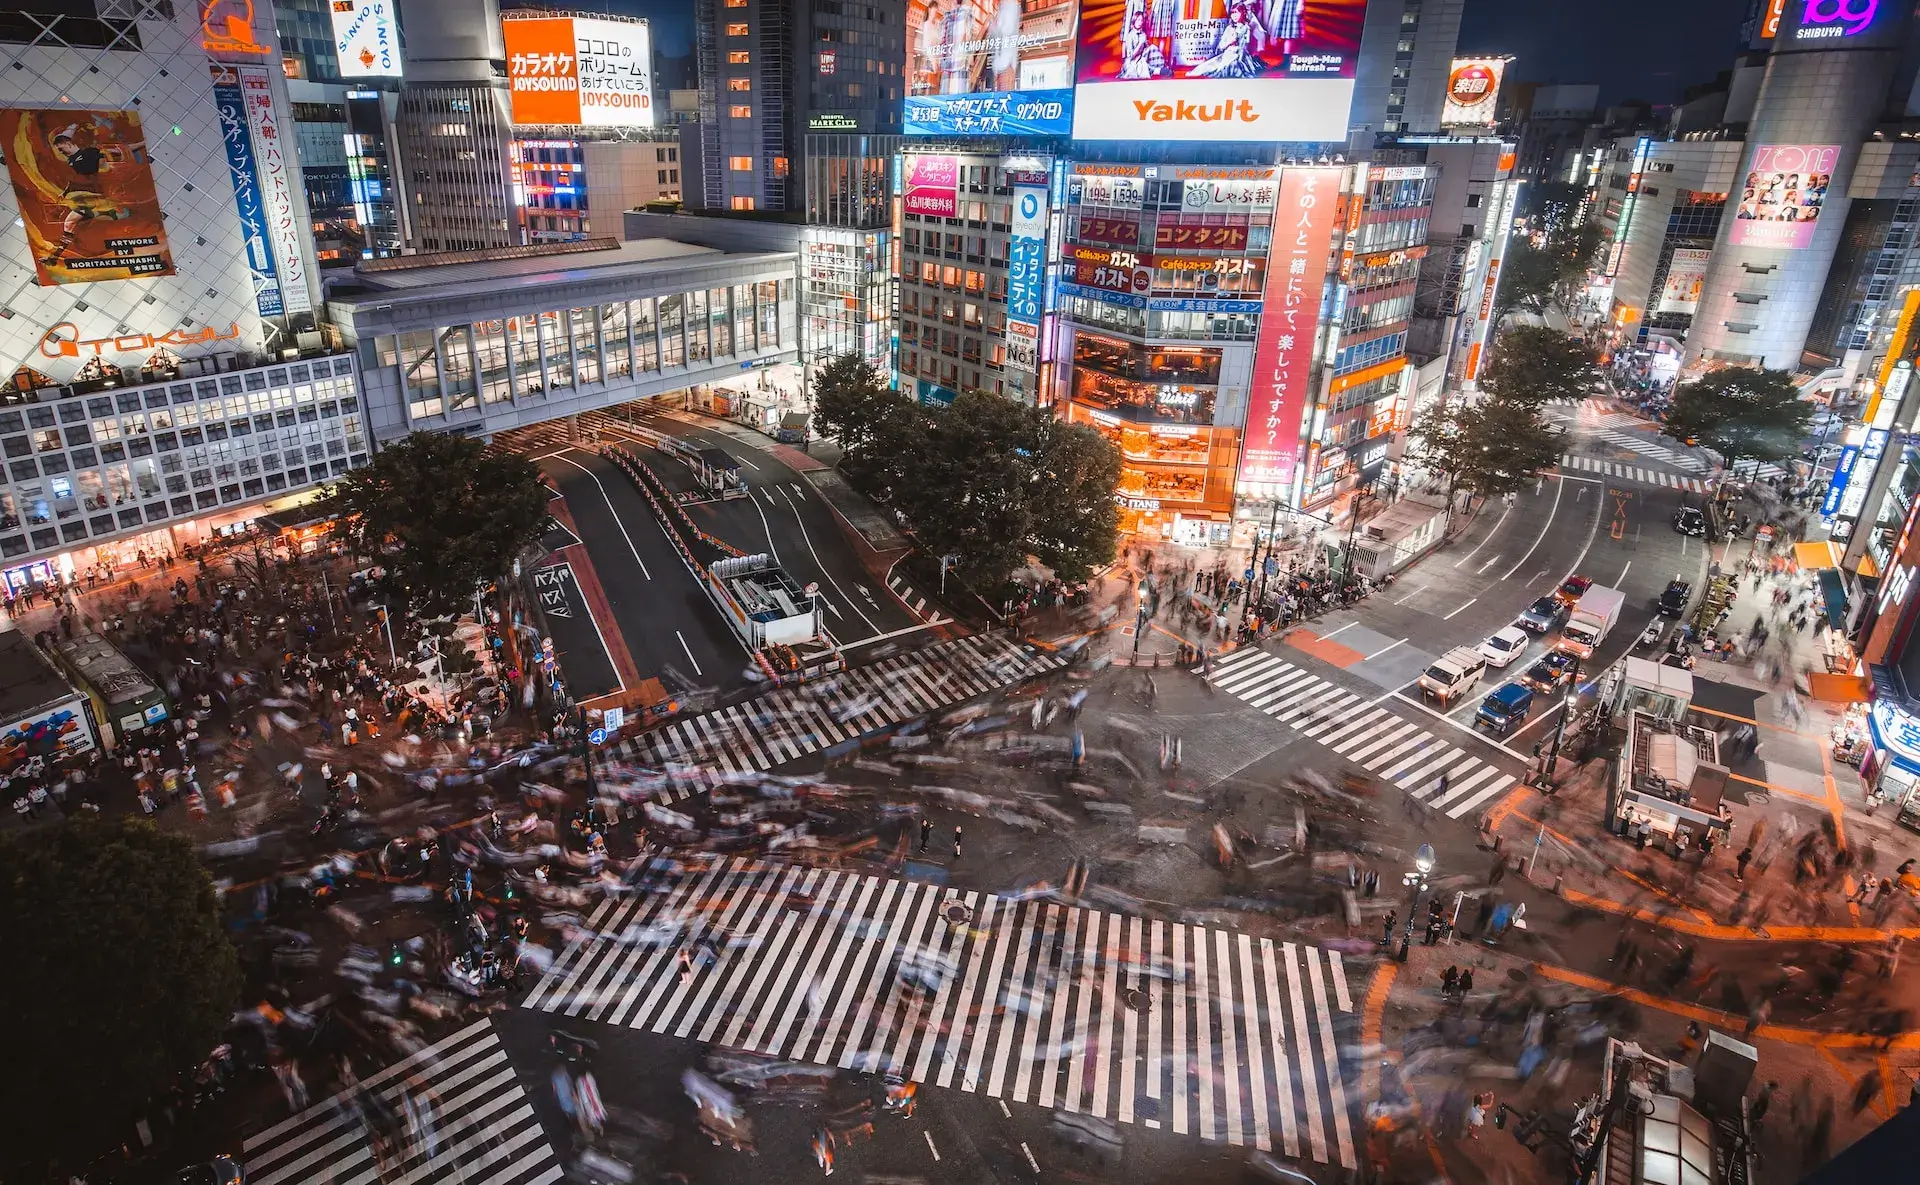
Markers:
1289,318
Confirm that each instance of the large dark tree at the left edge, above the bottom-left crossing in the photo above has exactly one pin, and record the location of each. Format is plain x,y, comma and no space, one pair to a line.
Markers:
130,980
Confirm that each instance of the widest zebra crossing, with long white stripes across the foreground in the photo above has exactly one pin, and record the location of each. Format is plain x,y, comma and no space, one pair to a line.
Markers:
1188,1028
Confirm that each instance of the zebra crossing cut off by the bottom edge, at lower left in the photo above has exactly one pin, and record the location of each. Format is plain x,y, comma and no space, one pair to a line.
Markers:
469,1125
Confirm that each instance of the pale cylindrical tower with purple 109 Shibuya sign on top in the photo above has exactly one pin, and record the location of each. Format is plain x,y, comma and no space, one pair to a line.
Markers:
1831,78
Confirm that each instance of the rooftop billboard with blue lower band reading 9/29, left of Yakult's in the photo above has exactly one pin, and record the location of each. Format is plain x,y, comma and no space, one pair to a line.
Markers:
990,70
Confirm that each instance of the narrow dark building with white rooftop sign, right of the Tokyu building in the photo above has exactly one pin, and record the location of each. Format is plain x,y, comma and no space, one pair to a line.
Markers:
345,124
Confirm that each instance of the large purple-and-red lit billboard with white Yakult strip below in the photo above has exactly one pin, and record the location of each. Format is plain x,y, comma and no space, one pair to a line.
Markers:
1216,70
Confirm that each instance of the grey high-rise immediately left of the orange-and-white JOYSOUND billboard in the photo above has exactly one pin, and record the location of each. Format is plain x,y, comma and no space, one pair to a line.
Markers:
456,128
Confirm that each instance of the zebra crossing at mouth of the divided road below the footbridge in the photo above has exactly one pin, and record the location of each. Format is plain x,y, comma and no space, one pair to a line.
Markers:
786,725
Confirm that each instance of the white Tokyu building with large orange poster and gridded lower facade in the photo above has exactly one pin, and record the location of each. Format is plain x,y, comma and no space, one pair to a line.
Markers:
168,375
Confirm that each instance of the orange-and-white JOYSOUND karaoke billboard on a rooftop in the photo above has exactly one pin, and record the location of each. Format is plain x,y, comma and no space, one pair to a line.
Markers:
579,72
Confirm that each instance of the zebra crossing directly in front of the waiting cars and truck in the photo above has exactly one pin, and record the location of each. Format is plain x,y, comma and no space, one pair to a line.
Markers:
1401,752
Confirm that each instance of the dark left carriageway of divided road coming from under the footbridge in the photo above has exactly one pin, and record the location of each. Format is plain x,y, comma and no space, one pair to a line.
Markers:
667,621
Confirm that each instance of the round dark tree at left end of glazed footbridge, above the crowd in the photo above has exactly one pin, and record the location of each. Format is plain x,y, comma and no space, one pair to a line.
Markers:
443,516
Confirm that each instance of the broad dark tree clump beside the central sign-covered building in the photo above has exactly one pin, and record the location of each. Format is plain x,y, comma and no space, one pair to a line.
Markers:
986,481
